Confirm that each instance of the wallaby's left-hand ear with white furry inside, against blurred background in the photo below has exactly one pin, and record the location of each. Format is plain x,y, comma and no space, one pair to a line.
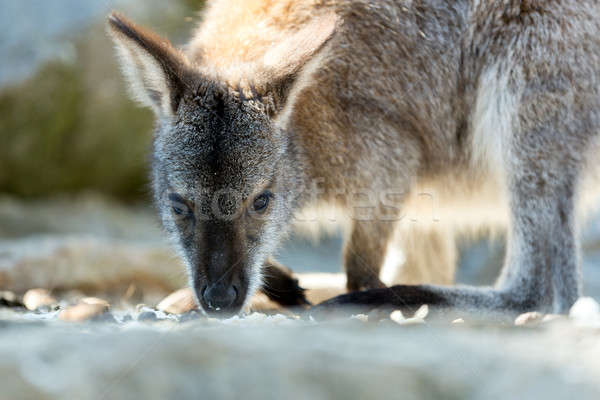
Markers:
155,70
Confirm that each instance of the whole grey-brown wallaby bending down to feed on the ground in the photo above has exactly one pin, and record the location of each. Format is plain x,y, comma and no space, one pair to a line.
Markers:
492,108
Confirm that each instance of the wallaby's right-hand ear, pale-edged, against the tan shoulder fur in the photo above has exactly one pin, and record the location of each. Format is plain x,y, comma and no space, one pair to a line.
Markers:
290,63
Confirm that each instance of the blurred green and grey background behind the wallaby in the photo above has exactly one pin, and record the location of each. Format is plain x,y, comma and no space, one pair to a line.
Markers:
75,211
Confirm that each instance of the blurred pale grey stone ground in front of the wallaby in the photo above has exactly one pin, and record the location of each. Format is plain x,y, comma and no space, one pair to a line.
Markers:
264,357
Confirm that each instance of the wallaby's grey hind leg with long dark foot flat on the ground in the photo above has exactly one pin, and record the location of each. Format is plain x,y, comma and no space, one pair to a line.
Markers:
541,269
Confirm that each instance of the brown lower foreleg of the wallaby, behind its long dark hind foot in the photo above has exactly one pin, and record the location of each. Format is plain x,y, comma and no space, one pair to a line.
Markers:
364,256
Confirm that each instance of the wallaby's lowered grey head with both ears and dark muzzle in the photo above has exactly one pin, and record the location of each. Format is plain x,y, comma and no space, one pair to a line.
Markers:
226,175
